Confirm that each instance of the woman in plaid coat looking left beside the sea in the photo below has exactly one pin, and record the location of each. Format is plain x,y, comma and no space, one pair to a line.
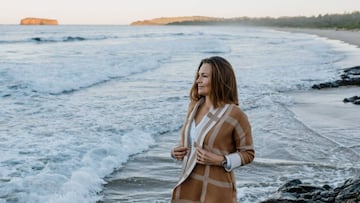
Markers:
215,139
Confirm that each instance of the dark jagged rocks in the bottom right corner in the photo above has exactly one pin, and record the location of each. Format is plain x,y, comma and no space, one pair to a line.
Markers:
296,191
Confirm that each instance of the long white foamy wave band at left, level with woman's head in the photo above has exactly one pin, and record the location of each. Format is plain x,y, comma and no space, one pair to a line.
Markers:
67,80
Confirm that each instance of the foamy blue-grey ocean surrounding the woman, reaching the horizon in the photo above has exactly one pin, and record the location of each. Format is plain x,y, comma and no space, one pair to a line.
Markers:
90,113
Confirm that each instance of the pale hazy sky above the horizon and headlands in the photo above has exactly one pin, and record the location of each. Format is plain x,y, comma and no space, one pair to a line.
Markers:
127,11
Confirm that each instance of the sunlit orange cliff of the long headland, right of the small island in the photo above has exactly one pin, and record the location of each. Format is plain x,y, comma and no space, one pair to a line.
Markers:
174,20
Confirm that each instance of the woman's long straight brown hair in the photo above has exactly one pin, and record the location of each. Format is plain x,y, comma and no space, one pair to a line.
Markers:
223,83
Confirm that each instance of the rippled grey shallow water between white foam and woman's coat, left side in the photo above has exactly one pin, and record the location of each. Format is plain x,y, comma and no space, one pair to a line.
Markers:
147,177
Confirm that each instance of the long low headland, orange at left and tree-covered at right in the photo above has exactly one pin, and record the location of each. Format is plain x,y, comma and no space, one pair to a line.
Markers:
338,21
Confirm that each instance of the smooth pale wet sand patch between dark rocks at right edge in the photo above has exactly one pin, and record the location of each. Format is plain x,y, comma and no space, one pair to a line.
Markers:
325,112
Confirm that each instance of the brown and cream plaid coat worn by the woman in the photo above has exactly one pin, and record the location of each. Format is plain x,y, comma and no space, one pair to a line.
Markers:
226,130
